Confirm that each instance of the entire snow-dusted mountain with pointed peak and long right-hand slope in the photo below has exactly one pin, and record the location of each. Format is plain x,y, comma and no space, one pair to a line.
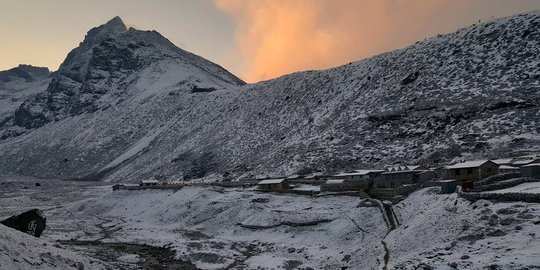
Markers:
128,105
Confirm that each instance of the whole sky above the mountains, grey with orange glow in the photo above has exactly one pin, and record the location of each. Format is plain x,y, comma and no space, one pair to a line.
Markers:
254,39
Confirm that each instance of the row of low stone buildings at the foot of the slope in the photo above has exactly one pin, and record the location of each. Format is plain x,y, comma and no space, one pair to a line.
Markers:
399,180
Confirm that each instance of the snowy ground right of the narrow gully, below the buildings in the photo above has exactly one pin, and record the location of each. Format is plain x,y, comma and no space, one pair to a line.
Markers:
445,232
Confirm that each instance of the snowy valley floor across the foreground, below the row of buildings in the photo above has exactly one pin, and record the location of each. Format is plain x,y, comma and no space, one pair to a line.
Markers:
211,228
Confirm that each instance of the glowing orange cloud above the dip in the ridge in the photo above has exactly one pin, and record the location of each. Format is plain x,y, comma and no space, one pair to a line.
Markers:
275,37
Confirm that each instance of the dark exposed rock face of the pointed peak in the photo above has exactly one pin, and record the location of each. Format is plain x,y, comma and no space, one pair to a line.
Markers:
103,62
